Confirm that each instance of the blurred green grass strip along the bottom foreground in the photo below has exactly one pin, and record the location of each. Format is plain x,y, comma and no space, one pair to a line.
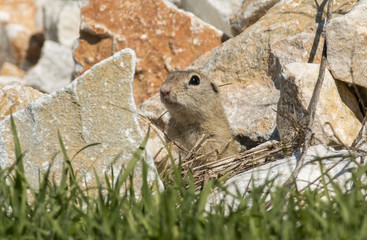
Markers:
67,211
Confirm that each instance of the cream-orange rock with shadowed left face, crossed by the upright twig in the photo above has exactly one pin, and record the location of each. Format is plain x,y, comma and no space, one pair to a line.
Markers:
296,87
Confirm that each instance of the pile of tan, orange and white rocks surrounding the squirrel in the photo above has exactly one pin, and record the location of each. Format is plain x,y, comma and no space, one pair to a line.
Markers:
86,68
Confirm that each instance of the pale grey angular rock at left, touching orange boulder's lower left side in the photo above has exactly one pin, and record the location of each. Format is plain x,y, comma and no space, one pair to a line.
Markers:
54,70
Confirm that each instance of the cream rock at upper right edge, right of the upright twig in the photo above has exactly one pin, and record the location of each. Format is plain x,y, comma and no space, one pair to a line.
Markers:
347,45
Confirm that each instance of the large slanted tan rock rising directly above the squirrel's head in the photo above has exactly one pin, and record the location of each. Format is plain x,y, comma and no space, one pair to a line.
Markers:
245,58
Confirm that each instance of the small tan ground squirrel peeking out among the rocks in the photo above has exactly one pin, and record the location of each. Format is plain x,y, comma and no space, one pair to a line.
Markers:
196,112
